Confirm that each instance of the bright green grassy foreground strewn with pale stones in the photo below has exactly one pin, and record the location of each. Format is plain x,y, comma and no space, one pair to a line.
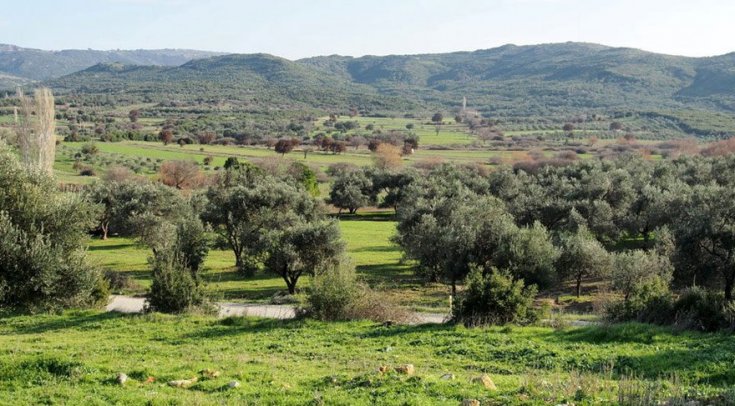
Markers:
74,358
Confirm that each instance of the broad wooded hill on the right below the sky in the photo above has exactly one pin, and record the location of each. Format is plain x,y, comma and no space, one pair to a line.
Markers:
543,79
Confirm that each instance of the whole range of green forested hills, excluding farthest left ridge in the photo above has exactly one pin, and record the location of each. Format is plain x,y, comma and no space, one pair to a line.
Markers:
509,80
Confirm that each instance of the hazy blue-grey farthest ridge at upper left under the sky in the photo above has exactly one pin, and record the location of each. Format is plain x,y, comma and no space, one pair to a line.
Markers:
36,64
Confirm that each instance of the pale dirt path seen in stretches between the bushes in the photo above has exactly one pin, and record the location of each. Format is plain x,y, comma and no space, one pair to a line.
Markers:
129,304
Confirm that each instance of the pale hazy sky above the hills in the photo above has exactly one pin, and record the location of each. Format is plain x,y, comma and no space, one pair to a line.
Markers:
295,29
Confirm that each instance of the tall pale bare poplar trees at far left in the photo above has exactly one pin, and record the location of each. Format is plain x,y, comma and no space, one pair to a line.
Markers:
35,126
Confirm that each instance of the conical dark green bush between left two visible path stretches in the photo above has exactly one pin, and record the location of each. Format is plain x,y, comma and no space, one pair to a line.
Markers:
175,289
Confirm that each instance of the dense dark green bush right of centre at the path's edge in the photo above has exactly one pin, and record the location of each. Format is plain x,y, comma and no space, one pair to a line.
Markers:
494,299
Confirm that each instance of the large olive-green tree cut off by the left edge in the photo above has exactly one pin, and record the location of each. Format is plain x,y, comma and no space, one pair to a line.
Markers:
42,244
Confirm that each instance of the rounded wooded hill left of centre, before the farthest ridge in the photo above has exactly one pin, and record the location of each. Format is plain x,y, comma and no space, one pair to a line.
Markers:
255,78
